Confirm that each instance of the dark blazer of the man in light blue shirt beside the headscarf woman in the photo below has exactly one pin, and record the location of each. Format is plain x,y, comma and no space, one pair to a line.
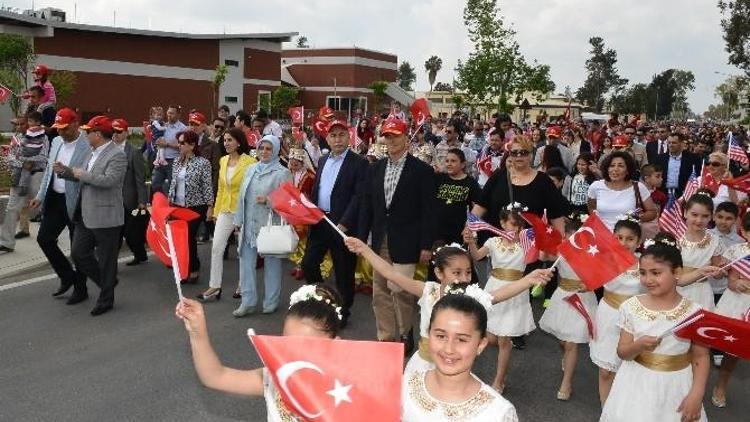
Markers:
346,193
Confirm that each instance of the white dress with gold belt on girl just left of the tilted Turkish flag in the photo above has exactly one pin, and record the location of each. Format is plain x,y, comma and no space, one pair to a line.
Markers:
511,317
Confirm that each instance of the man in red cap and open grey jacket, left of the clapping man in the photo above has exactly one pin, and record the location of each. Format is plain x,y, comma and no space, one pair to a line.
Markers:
58,197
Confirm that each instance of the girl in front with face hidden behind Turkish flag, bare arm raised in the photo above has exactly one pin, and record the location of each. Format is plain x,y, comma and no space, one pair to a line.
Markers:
314,311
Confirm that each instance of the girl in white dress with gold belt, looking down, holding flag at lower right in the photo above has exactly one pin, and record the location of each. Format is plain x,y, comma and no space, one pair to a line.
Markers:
662,377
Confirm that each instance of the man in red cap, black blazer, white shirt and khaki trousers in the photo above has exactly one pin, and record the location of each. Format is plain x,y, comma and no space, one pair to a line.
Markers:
398,205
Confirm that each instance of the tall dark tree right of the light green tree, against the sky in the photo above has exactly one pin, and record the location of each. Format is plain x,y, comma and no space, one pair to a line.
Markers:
602,75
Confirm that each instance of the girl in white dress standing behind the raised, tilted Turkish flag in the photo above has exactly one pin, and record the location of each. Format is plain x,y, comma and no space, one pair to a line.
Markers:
560,318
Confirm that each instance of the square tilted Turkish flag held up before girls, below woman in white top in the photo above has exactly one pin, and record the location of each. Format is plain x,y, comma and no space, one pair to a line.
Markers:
595,254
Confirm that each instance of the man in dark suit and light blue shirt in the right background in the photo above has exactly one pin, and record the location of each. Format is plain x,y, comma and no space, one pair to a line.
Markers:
678,165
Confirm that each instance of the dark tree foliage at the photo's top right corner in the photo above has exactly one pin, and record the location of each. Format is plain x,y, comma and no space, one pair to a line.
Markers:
735,23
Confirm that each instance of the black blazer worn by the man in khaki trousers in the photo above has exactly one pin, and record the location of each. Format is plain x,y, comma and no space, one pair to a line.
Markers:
409,223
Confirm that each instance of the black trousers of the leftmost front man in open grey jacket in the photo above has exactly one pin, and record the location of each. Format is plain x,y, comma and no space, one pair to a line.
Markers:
55,220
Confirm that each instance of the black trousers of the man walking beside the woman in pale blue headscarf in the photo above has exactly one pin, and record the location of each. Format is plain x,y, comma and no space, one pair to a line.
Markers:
322,238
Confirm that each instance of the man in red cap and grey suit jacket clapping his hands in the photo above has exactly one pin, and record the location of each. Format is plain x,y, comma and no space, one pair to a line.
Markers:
99,214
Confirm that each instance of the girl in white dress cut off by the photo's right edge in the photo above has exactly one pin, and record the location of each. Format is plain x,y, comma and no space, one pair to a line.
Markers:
734,303
